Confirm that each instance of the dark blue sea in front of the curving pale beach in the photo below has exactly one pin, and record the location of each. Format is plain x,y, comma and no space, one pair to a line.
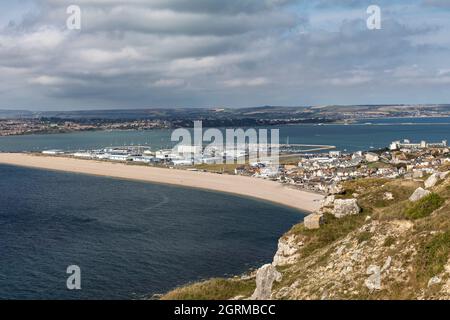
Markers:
130,239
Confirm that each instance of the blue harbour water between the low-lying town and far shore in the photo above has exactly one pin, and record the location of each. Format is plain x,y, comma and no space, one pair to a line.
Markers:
359,136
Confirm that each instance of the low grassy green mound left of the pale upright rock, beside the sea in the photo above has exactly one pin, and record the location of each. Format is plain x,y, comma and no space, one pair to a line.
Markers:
213,289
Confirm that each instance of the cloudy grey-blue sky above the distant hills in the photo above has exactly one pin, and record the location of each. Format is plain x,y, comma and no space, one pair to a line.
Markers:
213,53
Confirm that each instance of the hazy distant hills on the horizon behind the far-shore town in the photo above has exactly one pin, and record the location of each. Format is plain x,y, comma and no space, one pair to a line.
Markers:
265,112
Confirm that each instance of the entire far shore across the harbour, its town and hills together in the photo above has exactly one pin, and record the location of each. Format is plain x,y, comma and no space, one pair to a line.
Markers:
23,122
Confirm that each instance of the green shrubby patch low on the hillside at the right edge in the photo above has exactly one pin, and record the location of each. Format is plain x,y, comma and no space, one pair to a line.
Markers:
432,256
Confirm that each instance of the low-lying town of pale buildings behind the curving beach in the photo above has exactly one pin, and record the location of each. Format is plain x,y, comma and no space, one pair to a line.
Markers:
320,172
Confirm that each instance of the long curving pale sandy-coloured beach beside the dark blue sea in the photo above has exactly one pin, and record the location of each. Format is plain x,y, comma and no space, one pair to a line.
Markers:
239,185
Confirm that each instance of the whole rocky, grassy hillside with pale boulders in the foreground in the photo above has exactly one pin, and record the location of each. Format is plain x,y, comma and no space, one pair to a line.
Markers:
394,248
